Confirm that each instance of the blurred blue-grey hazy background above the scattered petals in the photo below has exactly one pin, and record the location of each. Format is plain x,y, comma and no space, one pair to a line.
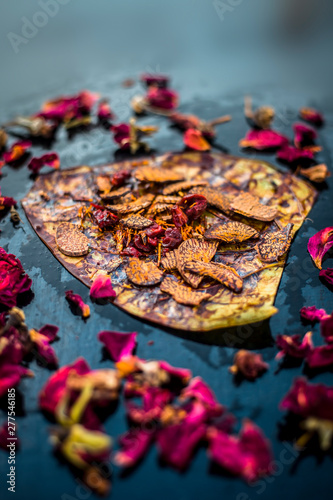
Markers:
283,43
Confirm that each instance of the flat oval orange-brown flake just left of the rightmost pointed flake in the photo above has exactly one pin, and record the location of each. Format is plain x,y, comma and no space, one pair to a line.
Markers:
231,232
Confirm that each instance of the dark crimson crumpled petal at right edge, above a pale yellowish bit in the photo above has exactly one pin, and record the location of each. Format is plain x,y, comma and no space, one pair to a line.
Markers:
308,400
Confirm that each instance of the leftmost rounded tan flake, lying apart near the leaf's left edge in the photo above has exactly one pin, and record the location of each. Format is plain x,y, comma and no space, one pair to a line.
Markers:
71,241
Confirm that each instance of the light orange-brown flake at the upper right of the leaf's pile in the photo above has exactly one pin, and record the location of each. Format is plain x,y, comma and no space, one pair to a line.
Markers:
249,205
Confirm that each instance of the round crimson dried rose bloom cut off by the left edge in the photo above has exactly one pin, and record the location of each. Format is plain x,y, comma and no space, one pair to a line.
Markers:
13,280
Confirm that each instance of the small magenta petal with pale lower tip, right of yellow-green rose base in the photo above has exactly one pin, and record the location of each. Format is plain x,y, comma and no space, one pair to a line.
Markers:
134,444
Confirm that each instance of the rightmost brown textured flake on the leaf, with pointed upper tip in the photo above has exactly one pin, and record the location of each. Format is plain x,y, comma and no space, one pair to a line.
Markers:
273,245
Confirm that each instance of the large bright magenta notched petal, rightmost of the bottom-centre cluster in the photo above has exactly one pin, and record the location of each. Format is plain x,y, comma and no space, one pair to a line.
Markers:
248,455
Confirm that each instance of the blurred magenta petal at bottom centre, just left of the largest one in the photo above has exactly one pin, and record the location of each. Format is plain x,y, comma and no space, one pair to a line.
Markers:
177,443
